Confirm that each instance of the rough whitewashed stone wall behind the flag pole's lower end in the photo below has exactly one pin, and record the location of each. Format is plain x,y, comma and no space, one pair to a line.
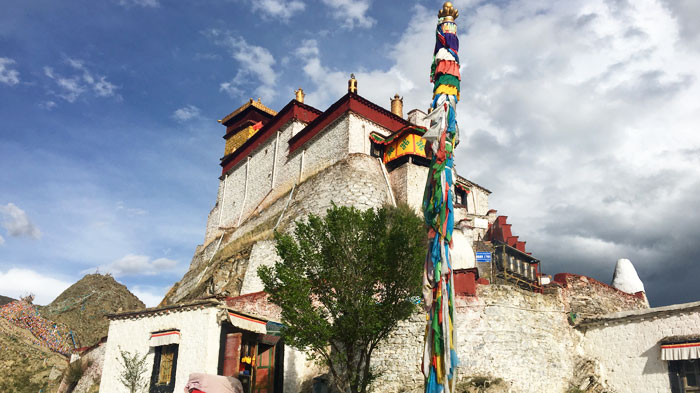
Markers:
504,332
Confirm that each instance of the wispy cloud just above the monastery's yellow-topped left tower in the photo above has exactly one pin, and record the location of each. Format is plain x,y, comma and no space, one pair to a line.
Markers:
253,61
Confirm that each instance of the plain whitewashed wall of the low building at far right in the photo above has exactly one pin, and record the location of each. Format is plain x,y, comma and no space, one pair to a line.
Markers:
627,345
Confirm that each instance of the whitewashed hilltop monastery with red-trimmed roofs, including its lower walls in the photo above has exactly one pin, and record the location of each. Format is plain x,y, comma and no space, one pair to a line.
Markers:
280,166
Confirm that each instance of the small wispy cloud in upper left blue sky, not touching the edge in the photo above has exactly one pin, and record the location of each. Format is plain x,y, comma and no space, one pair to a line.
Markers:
80,80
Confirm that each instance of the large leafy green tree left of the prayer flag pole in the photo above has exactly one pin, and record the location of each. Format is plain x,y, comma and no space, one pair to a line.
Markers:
343,283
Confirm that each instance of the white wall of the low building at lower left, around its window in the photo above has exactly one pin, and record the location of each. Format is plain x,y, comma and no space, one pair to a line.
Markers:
198,350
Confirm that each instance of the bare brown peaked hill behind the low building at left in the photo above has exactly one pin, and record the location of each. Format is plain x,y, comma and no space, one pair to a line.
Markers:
83,306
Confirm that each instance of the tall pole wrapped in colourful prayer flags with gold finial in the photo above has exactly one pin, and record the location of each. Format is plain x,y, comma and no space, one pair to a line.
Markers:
439,355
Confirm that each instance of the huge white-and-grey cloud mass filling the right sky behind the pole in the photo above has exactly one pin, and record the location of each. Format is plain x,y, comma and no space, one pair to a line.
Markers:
581,117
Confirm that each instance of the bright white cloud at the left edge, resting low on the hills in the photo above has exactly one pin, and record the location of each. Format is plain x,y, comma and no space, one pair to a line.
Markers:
20,282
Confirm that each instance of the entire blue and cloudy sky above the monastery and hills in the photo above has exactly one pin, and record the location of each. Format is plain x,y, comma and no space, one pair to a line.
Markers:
582,118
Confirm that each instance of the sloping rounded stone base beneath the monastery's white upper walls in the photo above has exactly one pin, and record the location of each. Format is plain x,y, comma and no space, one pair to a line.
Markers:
356,180
